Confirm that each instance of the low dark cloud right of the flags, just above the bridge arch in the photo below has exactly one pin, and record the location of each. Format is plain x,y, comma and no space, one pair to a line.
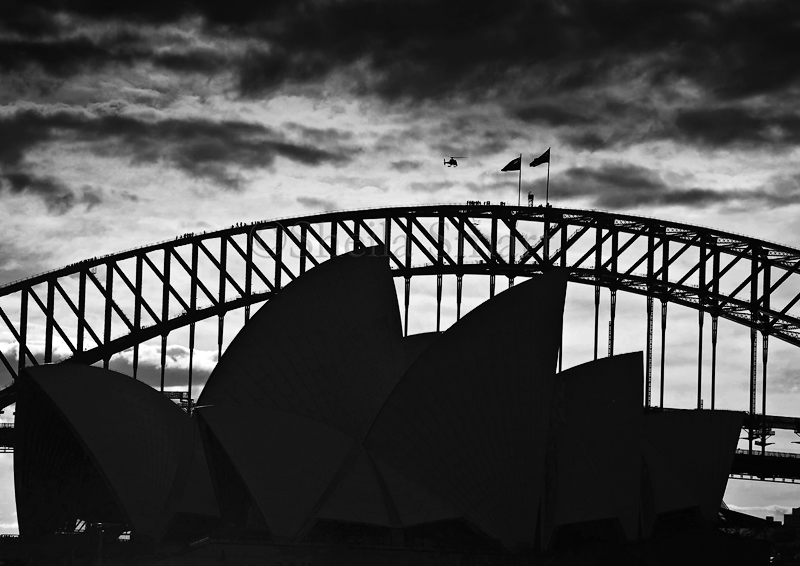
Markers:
618,186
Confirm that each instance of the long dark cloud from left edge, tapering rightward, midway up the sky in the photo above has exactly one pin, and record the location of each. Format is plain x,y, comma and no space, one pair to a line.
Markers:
213,150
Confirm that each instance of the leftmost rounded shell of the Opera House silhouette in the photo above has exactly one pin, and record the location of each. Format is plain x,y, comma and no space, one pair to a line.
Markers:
94,446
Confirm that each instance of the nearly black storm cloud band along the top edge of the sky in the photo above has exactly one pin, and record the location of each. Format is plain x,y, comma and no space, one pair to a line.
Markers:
432,49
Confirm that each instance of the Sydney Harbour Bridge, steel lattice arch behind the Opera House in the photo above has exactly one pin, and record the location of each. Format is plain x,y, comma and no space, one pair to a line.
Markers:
89,311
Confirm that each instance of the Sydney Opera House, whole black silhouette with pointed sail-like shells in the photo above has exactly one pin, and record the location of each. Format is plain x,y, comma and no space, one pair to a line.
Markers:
324,436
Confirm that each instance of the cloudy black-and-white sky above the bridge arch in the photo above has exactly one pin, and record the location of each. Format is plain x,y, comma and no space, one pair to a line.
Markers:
124,123
